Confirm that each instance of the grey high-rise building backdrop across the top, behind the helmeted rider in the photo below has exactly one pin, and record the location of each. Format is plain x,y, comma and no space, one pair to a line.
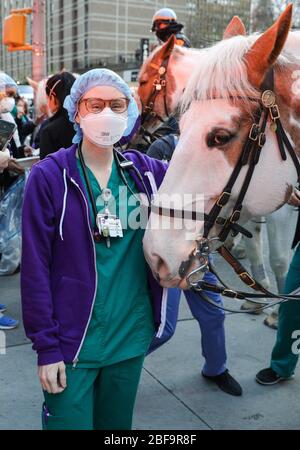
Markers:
81,34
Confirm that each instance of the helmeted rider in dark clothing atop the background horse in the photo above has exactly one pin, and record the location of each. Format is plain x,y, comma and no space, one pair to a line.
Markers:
165,23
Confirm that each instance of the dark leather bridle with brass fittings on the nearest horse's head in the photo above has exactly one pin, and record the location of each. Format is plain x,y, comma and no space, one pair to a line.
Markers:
250,155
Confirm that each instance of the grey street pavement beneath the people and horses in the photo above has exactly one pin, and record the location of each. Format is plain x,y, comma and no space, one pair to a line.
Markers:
173,395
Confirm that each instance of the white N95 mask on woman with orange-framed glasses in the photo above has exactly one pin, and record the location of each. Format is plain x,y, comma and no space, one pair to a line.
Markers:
104,129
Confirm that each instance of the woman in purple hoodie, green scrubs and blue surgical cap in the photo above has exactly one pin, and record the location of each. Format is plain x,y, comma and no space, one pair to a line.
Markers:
90,304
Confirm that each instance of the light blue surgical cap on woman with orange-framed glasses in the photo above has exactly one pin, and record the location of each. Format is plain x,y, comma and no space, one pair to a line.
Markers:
91,79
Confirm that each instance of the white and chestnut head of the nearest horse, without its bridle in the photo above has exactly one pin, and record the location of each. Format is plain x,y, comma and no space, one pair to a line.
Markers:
220,105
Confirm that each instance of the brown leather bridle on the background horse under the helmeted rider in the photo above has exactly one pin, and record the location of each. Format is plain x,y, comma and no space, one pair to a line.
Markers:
159,86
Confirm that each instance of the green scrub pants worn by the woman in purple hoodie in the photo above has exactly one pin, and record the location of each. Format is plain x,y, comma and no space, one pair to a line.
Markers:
95,399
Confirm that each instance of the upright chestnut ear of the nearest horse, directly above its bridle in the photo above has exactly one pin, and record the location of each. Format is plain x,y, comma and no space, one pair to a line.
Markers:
265,51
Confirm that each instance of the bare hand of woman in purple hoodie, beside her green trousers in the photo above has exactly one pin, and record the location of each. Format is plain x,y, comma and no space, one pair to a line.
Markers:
53,378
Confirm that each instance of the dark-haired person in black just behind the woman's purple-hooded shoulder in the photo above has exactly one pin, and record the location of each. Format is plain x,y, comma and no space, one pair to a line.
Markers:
59,131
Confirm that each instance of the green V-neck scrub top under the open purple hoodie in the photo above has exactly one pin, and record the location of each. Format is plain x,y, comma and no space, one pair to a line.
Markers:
122,323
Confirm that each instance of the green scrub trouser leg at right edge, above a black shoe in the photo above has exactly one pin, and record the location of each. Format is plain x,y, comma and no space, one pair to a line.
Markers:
283,360
